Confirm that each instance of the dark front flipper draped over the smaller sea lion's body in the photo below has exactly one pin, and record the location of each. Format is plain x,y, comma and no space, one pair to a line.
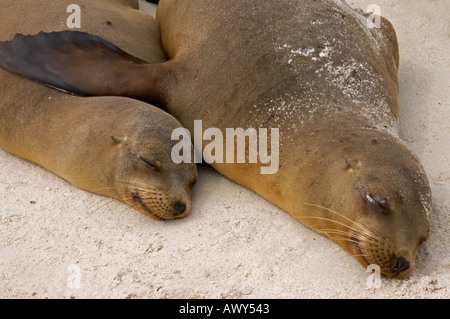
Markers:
84,64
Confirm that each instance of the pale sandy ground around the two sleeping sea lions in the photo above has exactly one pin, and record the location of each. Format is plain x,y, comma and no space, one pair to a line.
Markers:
59,242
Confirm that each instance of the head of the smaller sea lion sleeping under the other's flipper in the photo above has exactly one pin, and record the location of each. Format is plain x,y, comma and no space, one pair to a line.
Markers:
148,178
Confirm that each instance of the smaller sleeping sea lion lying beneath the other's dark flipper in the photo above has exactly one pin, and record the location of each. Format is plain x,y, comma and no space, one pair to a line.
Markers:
112,146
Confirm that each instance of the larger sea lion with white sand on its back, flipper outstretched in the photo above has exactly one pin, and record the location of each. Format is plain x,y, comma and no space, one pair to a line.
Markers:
315,70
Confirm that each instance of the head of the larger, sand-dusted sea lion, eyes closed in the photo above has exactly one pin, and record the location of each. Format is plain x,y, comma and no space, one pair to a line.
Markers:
376,202
